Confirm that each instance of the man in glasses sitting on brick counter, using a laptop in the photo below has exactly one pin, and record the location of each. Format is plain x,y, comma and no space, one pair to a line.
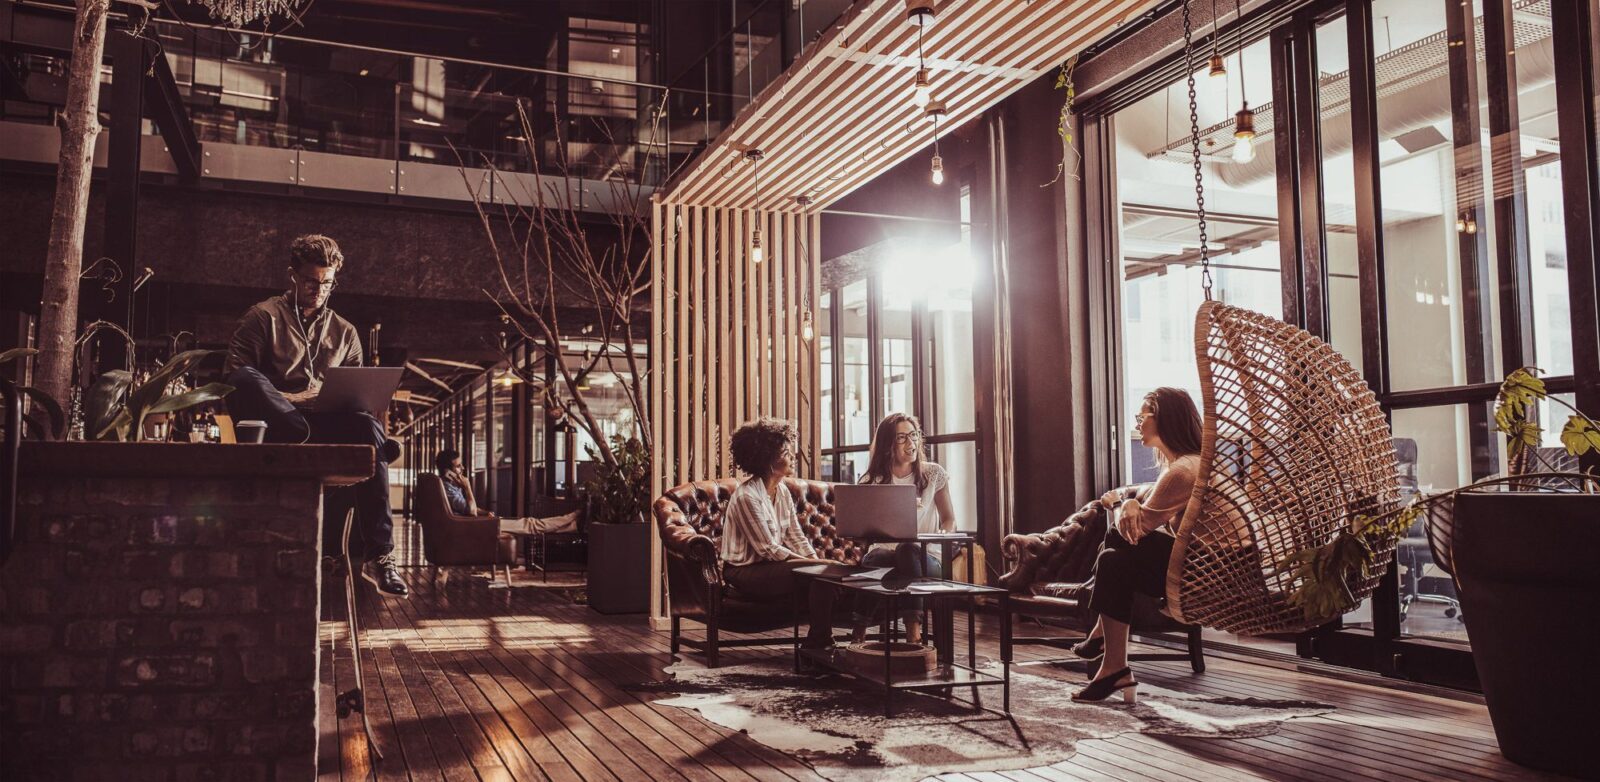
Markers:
276,364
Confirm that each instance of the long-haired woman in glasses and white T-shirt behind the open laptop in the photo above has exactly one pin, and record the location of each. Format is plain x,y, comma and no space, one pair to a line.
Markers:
897,458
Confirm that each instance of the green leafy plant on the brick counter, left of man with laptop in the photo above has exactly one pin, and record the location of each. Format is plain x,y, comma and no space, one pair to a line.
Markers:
118,405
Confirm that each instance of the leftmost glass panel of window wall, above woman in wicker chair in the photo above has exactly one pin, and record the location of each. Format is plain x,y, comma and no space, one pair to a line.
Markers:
1161,281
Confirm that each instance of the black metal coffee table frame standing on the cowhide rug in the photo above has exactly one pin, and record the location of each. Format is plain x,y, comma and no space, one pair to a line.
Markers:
945,655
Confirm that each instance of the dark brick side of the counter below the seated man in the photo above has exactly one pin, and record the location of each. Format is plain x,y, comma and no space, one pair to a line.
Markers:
161,629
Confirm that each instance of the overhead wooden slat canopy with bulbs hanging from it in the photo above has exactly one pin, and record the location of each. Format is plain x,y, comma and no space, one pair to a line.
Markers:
838,118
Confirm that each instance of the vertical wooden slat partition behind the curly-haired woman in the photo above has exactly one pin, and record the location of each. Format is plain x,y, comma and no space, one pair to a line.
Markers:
727,335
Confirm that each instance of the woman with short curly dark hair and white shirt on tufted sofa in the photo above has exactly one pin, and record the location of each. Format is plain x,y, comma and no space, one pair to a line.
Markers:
762,543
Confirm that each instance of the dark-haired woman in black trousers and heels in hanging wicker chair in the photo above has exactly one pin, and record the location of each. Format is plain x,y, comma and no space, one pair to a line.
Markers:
1140,540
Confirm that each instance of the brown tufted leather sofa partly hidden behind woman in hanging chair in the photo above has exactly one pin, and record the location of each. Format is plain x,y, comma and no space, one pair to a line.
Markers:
1047,575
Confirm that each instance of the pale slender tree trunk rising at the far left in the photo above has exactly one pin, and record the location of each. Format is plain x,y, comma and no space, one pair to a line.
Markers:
79,127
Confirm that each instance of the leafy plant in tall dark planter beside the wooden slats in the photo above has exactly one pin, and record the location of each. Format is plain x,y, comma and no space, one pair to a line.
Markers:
618,537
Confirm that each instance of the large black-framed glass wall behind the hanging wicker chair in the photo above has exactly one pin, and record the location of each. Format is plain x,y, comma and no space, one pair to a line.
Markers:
1466,241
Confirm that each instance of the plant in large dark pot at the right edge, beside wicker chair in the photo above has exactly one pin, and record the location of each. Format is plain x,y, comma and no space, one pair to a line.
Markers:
1524,551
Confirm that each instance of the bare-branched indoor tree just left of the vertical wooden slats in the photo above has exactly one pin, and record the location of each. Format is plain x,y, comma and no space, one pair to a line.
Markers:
551,261
